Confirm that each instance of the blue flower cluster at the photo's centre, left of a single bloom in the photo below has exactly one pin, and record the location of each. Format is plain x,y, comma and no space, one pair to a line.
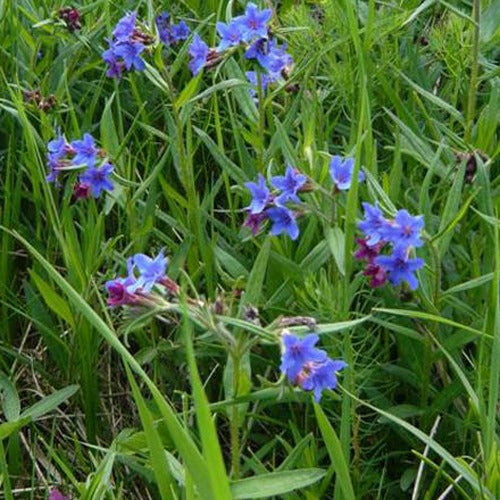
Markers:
275,206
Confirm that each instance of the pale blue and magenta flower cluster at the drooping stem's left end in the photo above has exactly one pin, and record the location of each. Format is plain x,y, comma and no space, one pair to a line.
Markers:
143,275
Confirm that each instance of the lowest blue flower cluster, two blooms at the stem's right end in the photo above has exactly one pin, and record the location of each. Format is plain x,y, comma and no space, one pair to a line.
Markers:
308,366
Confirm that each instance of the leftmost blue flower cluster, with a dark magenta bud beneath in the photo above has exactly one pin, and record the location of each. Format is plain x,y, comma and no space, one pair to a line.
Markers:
83,154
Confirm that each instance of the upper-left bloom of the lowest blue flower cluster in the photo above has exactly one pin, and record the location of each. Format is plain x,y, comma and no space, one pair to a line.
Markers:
297,352
